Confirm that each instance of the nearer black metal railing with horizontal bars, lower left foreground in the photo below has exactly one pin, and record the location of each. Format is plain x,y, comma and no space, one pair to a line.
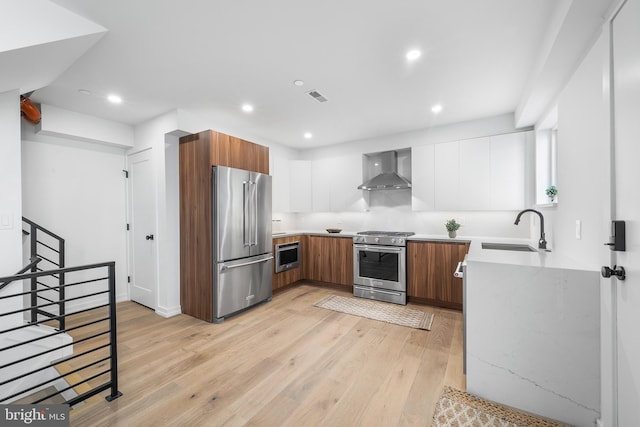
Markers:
92,354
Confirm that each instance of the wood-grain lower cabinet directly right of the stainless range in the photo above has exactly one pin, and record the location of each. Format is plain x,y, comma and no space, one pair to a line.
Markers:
430,267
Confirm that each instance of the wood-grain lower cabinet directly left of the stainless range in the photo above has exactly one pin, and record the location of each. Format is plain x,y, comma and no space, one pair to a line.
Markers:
329,259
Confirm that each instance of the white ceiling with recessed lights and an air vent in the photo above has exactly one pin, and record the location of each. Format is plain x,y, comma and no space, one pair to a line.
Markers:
480,59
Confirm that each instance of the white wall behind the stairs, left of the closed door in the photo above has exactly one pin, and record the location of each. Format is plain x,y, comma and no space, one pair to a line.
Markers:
77,190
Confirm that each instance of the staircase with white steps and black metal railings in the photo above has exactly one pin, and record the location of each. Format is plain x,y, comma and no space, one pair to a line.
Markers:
52,354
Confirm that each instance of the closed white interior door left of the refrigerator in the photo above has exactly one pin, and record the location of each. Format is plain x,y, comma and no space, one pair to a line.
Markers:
142,229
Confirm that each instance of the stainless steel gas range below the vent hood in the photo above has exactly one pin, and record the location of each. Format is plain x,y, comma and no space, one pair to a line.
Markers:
380,265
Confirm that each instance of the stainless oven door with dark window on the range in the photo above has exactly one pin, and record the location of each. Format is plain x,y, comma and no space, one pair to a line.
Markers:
380,267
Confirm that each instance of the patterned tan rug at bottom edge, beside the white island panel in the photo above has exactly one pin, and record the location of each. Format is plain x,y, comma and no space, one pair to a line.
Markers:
459,409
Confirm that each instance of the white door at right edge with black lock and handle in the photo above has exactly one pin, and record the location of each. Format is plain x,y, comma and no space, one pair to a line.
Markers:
626,122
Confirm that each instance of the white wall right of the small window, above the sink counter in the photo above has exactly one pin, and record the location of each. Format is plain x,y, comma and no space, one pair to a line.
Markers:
583,162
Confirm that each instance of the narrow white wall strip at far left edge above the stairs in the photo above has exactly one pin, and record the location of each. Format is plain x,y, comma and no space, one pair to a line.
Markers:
10,199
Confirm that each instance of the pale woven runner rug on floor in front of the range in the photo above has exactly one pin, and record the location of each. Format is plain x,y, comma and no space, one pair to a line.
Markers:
385,312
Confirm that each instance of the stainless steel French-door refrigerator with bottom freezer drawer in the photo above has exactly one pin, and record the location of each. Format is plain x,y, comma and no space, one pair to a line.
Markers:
242,256
